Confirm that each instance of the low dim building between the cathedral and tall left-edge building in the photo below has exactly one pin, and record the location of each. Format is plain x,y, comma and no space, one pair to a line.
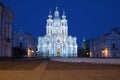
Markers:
24,41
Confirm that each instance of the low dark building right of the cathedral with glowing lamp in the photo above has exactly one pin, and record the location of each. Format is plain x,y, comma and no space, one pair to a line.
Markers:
107,45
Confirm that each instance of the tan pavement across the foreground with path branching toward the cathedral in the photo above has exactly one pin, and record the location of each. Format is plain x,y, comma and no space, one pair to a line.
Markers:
42,73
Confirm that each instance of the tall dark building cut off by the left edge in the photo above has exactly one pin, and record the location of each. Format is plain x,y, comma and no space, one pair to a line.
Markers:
6,20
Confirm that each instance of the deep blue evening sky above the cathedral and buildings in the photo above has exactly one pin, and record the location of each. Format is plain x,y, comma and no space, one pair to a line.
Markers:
89,18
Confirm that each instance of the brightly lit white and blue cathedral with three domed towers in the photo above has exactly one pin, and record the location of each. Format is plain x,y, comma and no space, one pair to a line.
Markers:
57,42
